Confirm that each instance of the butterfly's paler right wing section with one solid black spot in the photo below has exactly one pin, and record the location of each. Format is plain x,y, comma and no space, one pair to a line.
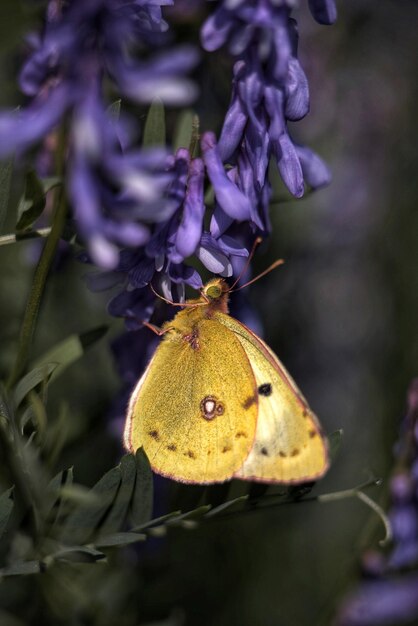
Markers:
289,446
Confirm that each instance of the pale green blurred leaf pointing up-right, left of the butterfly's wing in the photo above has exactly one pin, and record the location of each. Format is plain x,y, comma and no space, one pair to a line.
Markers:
70,350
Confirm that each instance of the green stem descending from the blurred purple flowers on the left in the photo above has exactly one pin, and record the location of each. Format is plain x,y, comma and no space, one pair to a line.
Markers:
38,287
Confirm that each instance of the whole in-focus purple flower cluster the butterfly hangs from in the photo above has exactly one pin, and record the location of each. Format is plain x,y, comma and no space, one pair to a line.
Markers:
269,88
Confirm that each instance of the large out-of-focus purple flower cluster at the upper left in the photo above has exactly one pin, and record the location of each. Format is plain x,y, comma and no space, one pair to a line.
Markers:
115,191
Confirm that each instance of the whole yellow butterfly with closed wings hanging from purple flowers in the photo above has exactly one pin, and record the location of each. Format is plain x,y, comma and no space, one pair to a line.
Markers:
216,403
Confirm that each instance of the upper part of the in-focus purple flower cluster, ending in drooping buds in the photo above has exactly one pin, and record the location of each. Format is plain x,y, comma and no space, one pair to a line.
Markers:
270,89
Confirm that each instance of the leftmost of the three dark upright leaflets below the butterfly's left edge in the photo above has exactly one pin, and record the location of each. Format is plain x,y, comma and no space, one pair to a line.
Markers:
82,524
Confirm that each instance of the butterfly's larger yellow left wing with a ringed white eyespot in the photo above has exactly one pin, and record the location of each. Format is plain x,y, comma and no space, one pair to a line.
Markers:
195,409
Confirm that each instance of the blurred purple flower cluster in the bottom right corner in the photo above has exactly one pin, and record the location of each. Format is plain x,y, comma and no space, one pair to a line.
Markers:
389,593
